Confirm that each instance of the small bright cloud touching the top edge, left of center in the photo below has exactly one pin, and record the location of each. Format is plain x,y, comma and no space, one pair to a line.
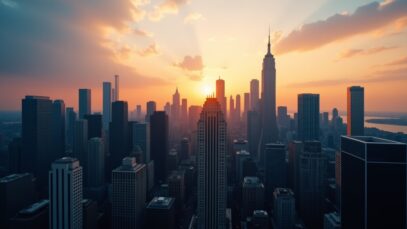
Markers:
166,7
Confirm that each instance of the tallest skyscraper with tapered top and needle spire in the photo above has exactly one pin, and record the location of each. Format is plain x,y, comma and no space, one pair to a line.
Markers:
268,99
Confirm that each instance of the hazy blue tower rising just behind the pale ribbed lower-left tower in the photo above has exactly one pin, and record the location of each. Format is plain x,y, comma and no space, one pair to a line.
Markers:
80,140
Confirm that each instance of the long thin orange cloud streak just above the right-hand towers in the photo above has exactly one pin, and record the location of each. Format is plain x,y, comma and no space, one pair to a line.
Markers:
399,74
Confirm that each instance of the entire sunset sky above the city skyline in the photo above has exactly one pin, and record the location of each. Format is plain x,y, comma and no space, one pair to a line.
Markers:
54,47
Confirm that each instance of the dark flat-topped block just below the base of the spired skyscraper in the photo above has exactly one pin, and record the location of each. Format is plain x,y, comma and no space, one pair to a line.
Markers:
275,168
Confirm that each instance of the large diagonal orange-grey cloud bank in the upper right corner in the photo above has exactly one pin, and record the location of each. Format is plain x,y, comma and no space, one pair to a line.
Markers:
366,18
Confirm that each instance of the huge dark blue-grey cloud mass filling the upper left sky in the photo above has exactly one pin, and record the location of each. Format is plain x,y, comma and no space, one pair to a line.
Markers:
41,42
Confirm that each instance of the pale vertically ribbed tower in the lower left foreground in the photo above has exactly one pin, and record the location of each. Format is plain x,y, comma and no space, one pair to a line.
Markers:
65,194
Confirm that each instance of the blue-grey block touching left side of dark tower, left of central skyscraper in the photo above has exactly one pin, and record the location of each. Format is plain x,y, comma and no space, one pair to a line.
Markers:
141,138
